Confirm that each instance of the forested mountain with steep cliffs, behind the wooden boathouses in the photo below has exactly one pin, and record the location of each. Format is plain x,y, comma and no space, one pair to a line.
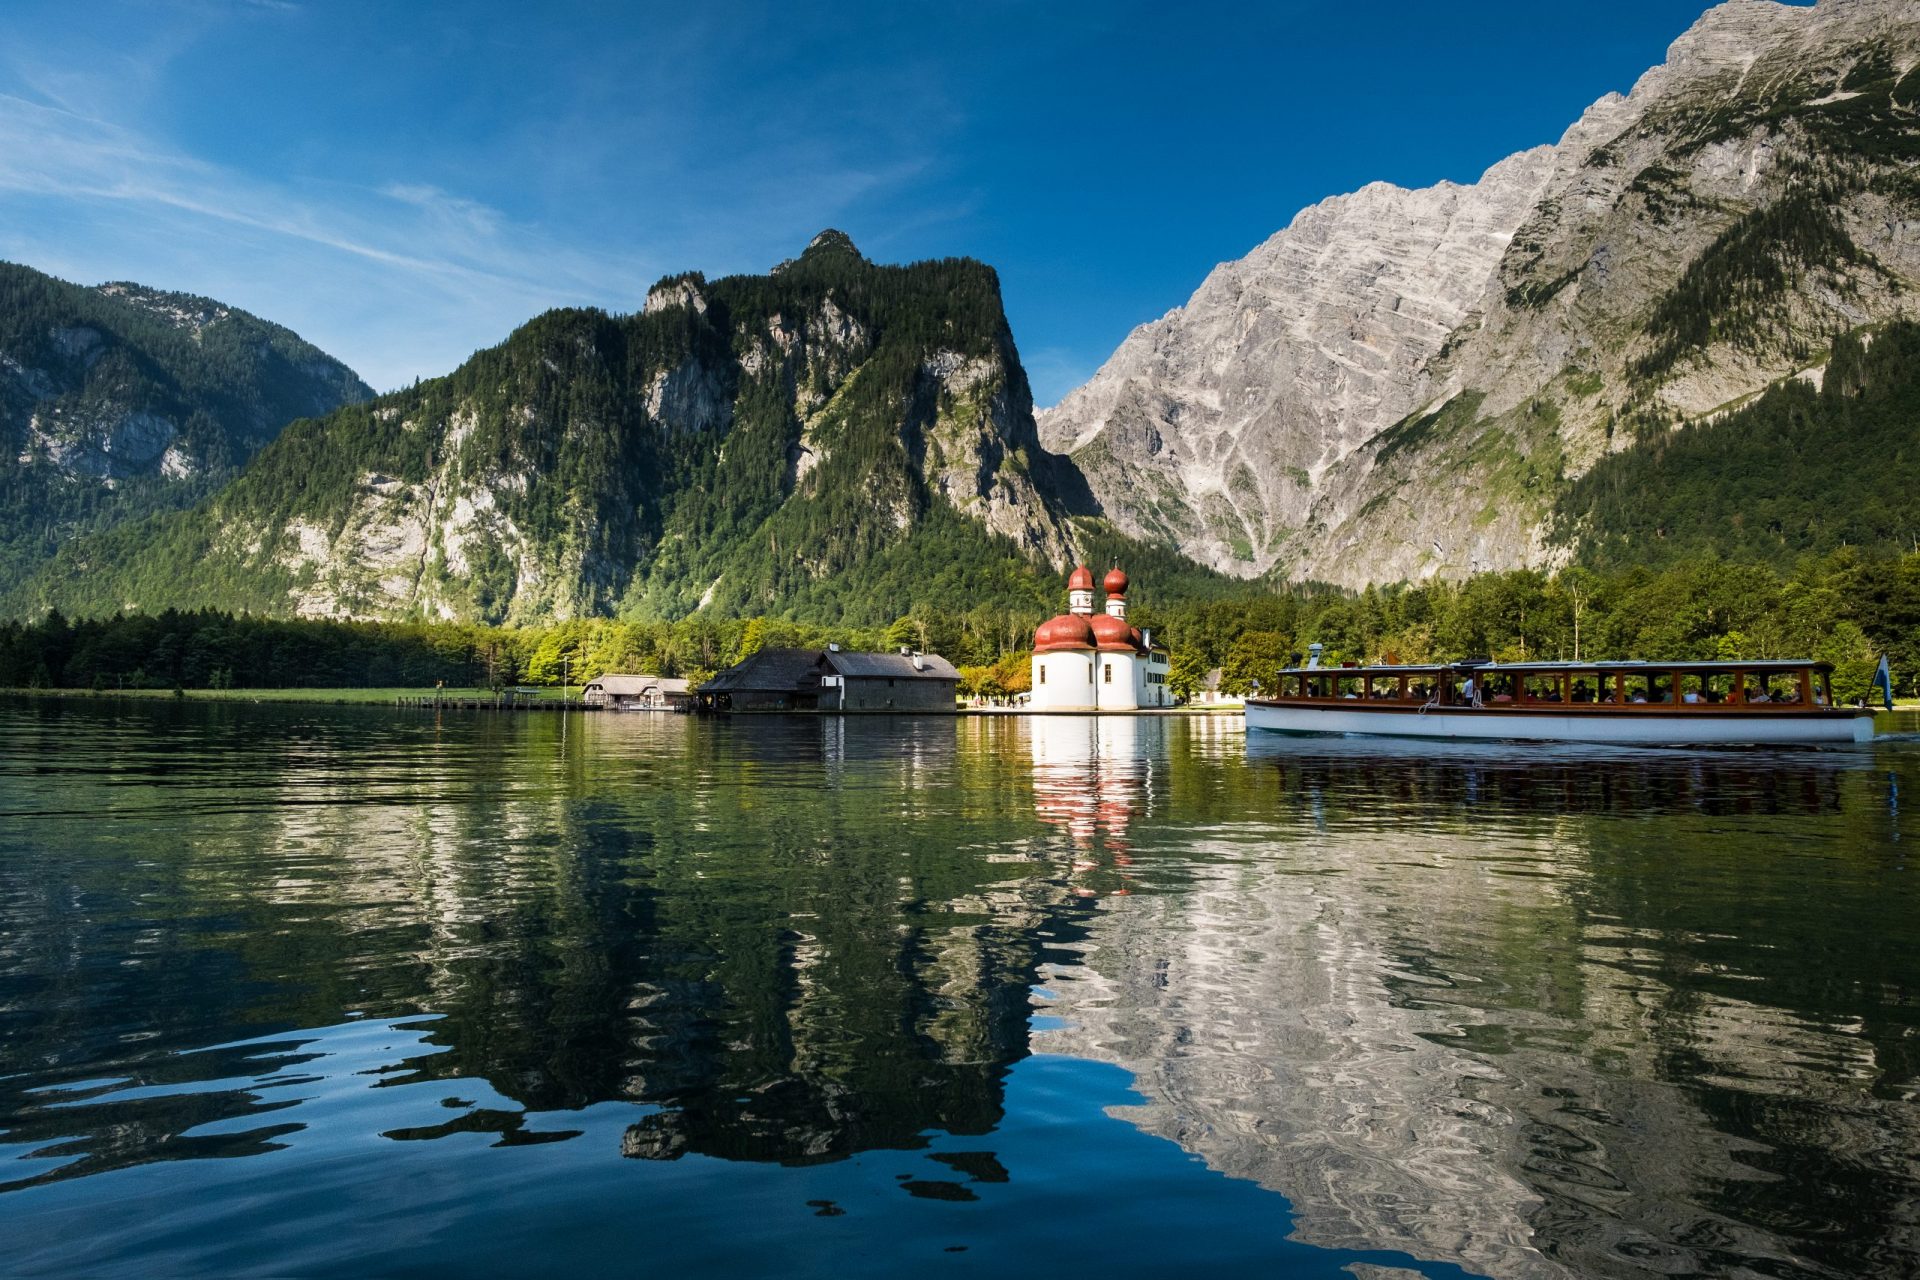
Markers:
830,440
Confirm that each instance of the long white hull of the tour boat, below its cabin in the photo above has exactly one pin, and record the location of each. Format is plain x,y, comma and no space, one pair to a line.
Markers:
1681,728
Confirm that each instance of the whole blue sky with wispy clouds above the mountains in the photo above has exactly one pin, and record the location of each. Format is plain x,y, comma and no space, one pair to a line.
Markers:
406,183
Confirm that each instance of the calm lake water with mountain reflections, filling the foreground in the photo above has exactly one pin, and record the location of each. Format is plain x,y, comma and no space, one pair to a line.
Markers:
352,991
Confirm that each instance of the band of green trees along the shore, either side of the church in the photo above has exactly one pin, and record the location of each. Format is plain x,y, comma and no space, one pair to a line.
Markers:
1844,607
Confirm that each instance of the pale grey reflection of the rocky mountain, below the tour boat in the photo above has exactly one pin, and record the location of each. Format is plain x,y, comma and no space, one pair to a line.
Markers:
1420,1012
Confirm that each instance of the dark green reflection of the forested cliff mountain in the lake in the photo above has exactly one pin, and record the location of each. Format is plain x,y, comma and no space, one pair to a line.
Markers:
800,941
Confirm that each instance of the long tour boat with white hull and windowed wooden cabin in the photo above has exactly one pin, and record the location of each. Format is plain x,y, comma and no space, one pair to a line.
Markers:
1643,703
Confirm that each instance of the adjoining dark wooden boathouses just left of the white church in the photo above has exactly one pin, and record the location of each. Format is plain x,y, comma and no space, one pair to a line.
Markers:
832,680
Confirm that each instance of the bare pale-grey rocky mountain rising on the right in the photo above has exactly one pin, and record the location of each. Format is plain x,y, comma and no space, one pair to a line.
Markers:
1410,385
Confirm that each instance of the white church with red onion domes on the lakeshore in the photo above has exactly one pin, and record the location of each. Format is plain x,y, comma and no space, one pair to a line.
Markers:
1097,663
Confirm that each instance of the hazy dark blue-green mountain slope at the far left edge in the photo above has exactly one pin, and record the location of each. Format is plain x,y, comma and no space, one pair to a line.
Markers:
122,400
